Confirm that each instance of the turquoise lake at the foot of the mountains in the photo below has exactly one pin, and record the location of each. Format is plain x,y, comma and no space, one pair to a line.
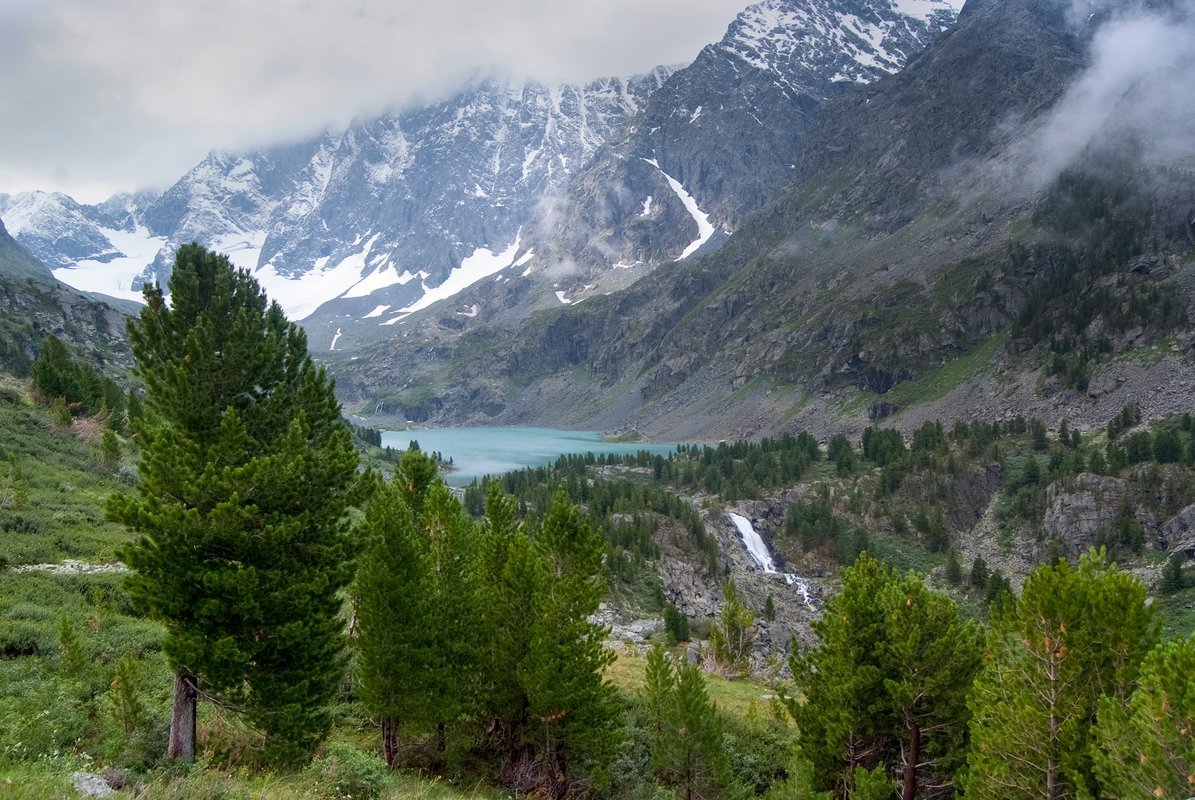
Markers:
477,453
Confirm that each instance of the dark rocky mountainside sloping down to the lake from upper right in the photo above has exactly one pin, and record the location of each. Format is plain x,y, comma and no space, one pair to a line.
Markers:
831,310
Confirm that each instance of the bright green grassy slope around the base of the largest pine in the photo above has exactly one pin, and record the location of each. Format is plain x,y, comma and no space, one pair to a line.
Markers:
84,685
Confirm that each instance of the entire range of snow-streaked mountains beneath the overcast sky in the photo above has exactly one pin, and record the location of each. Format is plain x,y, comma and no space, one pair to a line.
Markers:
361,228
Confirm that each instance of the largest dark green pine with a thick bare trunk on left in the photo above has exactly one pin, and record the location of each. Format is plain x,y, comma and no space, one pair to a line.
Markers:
247,472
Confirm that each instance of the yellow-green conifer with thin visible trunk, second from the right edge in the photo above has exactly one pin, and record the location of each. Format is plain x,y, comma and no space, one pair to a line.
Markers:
1074,634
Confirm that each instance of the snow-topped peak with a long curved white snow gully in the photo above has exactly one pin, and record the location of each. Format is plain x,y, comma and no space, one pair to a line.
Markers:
724,135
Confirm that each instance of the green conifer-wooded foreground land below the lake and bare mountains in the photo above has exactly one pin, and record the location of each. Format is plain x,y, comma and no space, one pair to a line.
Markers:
266,606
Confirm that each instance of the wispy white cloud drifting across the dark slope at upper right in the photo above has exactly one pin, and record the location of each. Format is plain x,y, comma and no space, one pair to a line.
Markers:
1139,88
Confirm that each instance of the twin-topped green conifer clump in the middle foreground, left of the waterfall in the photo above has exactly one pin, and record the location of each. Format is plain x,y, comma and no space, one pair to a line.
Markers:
553,712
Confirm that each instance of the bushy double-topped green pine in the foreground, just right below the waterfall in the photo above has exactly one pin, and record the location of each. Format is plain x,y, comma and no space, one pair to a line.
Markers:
887,688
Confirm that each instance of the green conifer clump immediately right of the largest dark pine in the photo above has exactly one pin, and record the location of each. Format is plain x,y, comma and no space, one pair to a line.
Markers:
418,599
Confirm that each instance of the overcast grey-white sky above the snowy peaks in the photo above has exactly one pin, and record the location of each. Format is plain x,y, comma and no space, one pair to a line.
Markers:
103,96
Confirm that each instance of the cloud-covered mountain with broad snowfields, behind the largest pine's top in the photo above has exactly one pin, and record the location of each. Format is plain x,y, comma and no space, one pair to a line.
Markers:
399,209
